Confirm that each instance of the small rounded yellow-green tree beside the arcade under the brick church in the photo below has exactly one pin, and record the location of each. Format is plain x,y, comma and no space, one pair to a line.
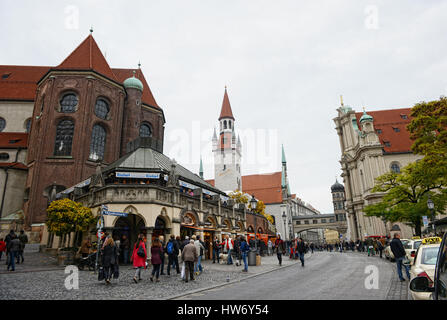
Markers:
66,216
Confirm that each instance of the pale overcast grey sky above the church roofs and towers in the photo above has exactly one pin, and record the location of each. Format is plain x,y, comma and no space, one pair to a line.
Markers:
285,64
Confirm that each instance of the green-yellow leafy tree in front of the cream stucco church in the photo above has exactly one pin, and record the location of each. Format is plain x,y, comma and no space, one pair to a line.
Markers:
406,194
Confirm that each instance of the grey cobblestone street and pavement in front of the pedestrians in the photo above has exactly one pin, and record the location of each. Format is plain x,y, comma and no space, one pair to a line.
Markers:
323,272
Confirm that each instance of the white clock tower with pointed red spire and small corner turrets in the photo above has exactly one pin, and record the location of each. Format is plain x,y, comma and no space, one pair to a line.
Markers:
227,151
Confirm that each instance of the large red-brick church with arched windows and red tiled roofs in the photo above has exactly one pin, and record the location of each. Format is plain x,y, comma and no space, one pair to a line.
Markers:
73,117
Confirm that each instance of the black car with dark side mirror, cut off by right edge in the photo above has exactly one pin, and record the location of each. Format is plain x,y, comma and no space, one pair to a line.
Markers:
438,291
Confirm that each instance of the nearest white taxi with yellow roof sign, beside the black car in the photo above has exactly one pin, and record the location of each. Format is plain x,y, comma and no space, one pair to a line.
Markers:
424,266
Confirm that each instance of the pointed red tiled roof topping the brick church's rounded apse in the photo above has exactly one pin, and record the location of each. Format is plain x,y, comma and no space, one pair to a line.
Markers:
87,56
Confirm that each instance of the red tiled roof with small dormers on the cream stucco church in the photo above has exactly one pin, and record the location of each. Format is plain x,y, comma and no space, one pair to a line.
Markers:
386,121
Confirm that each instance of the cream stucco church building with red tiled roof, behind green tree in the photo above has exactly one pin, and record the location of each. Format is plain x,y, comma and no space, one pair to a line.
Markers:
372,143
